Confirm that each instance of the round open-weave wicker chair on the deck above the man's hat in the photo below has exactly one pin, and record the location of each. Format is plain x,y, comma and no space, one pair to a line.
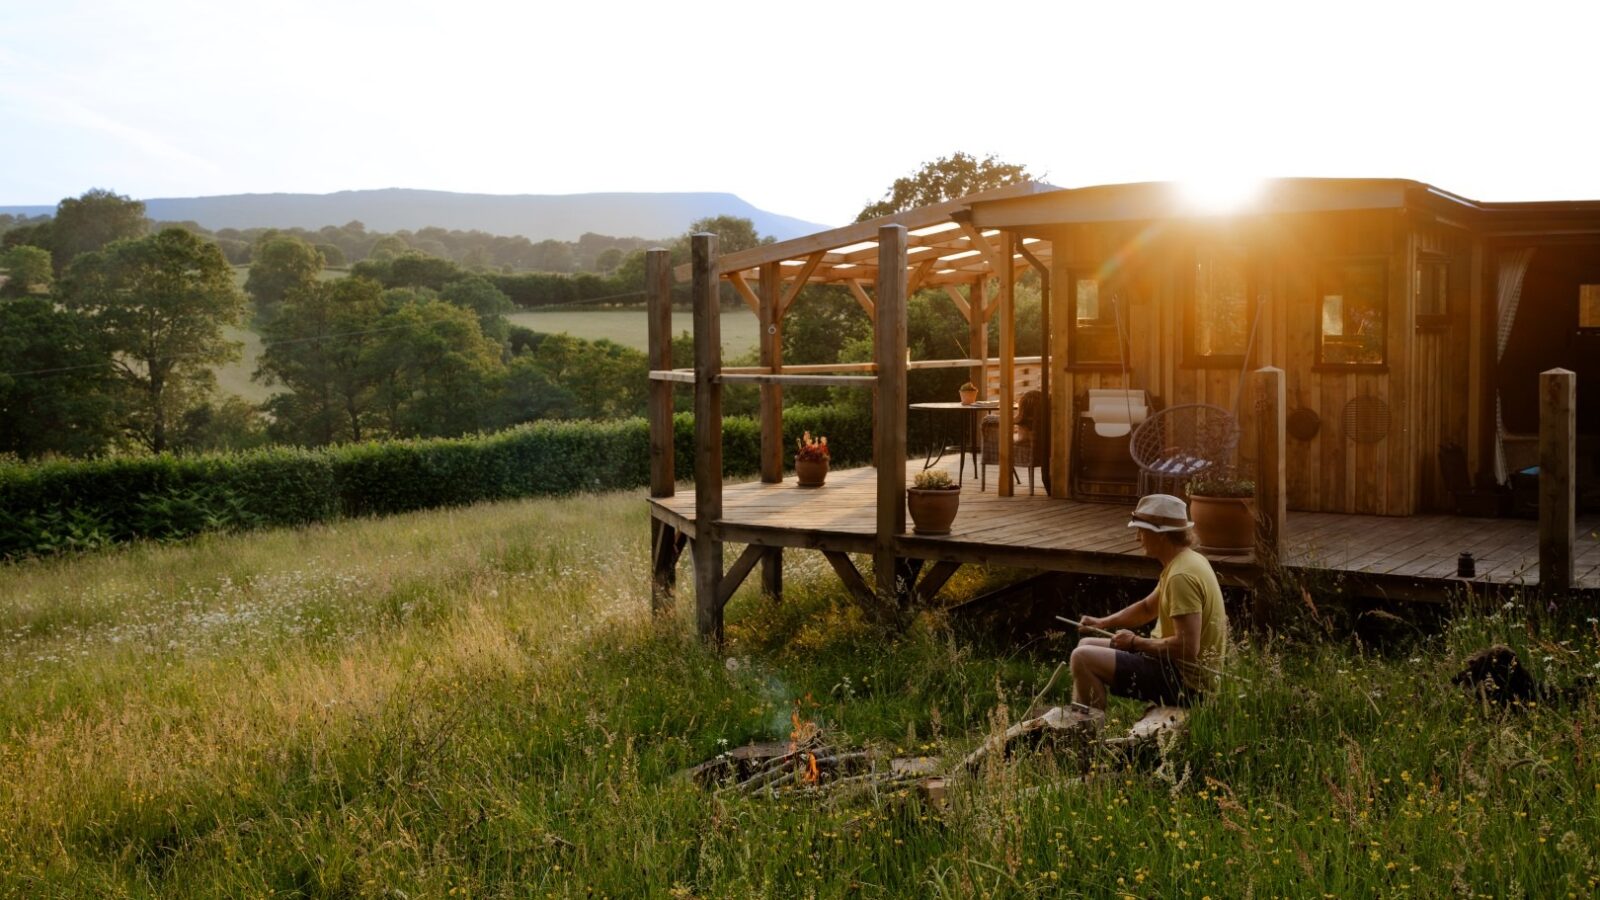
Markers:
1178,444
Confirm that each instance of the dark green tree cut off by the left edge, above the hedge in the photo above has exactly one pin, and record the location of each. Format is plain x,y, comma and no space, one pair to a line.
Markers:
55,392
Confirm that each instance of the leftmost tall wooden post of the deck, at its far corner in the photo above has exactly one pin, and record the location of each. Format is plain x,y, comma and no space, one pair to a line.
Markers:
663,481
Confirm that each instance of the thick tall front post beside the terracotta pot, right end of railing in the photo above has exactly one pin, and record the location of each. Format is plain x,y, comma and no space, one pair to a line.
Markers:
889,433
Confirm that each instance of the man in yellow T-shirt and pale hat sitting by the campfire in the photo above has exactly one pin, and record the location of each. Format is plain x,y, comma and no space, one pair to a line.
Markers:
1183,657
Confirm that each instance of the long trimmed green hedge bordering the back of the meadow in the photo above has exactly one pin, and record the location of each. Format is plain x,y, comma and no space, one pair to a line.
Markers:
84,505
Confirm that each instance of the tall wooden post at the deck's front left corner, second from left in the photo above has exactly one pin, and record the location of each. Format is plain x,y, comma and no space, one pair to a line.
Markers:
708,438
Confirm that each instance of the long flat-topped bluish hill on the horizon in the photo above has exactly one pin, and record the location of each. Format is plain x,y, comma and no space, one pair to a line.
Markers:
537,217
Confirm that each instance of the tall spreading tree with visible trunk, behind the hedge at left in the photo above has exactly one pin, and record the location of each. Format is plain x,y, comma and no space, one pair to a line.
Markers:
161,305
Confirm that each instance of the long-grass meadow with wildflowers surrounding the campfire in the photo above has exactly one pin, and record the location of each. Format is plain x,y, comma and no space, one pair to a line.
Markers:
478,702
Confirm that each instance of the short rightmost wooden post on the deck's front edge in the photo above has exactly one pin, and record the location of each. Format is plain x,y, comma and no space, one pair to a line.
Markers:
1558,488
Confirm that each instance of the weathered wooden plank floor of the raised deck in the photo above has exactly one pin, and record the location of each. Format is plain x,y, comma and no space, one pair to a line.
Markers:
1388,556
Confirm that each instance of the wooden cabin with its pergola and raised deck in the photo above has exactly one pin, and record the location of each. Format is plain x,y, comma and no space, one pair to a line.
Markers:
1423,345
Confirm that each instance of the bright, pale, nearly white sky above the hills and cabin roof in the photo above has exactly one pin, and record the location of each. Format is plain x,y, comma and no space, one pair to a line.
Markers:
807,110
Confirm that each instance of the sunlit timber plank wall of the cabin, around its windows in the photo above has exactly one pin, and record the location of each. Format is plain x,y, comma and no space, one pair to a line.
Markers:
1150,265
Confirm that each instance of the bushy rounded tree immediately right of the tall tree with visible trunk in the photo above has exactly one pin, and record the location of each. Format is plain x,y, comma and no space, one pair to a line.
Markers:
321,348
